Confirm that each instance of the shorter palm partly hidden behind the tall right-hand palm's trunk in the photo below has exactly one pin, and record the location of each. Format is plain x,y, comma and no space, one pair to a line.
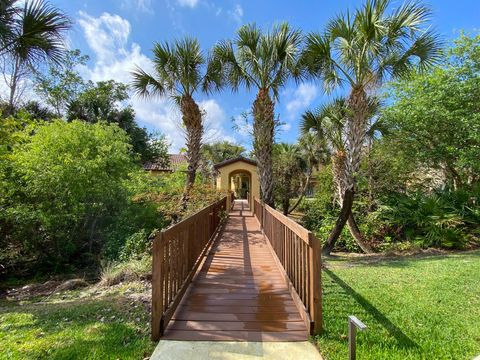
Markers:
328,124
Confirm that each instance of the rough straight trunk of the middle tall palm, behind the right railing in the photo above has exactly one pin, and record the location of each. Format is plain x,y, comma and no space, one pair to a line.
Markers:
263,133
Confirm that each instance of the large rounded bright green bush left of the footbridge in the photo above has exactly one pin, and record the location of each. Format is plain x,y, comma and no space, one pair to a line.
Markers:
71,193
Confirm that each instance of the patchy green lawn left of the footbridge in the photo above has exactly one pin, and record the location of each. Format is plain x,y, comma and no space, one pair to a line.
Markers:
77,325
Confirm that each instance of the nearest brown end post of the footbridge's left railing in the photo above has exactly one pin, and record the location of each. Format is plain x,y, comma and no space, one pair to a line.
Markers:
157,288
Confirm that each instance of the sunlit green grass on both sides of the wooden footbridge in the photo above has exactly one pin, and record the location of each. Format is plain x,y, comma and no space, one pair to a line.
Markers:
414,307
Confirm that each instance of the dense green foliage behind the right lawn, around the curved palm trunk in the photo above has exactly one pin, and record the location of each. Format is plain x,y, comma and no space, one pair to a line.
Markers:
419,185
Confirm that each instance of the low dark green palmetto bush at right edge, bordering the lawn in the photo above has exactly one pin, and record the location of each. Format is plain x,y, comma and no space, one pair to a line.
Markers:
447,219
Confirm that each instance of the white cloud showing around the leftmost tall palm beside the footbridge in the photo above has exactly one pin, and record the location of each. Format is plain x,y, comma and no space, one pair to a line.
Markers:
115,59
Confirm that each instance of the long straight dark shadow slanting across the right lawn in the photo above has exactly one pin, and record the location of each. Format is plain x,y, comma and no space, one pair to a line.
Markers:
402,339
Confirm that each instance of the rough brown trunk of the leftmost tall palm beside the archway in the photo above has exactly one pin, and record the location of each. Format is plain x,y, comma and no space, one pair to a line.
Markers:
192,119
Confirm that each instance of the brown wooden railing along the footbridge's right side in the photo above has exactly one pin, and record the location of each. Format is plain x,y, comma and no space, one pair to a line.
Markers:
298,252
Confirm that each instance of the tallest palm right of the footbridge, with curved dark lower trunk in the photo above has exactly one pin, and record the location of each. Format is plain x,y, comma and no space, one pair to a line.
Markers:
361,51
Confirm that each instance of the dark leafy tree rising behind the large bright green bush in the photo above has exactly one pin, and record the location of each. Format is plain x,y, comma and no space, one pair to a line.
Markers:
102,102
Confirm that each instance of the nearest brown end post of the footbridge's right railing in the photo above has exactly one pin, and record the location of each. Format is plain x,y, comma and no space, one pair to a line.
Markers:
316,283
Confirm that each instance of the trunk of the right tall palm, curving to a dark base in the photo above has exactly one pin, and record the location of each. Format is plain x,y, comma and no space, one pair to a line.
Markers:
356,131
